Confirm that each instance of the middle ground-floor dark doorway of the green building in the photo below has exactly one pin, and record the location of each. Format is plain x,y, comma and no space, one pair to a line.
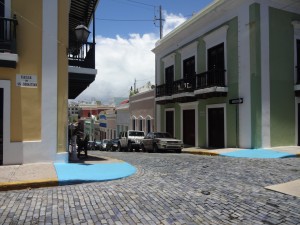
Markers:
189,127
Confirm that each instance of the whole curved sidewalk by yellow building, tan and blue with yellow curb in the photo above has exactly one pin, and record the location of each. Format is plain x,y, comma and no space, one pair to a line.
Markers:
92,169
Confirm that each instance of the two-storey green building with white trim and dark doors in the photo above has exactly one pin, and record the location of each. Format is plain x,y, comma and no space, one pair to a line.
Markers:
233,51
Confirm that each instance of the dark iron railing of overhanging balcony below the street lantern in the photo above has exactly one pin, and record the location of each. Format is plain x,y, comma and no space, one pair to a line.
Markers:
83,56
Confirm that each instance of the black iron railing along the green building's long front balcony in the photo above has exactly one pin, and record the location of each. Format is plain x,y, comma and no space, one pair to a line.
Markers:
212,78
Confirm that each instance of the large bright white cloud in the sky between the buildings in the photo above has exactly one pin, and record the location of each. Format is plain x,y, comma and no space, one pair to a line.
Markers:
120,61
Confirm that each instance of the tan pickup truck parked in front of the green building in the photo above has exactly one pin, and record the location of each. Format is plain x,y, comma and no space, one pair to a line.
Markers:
156,141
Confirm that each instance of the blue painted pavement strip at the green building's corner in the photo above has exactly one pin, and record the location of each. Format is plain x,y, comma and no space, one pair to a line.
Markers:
258,153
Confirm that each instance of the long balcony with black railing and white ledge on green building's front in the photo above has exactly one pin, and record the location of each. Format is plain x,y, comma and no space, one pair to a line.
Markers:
200,86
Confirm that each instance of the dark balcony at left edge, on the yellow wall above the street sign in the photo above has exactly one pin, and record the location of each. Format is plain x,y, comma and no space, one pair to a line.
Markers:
8,46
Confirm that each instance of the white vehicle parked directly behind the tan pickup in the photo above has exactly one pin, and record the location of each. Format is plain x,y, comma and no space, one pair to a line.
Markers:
130,140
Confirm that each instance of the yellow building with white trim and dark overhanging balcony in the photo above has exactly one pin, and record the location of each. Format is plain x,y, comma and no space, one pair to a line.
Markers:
42,65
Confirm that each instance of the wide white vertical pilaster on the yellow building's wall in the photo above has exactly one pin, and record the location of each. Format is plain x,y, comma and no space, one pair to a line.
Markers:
49,76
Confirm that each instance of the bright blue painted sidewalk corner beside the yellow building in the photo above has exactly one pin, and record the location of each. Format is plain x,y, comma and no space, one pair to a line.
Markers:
71,173
